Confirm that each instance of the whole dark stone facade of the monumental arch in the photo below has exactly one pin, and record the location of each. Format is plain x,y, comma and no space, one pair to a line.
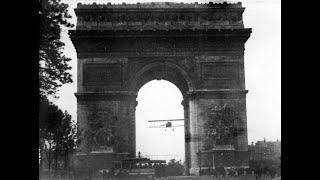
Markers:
198,47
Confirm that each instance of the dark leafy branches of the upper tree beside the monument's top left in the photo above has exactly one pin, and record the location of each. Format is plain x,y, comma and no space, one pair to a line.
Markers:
53,65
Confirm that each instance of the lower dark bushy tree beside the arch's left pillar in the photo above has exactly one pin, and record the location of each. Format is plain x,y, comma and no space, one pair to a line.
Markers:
57,134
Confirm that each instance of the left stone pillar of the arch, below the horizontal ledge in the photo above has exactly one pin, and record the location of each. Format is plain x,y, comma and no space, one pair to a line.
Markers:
114,111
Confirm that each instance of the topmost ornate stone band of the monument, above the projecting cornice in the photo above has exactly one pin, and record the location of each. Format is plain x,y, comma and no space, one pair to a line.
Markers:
160,15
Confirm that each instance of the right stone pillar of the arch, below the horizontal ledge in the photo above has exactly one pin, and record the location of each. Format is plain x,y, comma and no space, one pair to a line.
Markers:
203,149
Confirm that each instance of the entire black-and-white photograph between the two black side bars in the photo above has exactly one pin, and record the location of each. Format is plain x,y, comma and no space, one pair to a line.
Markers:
159,90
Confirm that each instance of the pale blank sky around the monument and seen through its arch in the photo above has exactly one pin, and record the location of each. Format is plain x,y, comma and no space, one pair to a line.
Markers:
263,80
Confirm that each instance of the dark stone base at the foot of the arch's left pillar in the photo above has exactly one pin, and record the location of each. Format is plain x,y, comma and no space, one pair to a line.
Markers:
97,160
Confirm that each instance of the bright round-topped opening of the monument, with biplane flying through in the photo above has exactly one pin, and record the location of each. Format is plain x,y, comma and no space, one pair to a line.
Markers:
160,100
